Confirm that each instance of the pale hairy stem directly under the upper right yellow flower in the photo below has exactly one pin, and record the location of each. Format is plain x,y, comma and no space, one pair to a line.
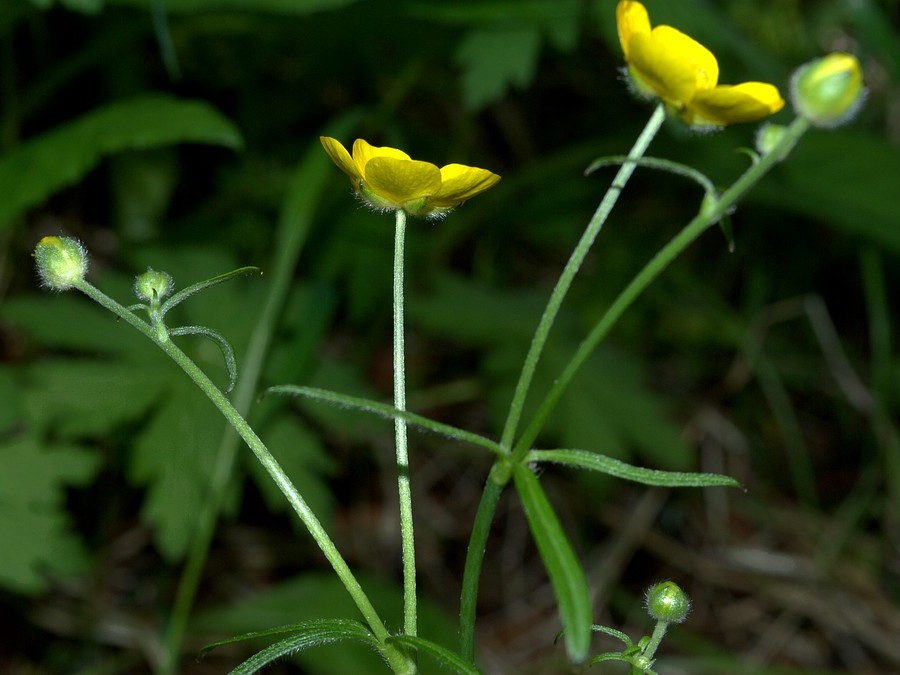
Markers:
569,272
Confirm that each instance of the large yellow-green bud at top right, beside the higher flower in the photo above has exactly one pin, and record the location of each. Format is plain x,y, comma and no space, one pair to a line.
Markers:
829,91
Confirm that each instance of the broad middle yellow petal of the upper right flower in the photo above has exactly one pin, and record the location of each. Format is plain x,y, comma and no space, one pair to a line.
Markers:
673,64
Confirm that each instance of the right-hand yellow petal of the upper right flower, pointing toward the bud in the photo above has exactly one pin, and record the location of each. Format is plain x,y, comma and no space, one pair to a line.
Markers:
725,104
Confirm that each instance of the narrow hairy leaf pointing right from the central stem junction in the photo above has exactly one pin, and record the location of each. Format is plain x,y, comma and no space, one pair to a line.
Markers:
583,459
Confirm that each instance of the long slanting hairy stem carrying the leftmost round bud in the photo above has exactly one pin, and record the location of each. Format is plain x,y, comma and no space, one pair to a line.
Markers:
397,659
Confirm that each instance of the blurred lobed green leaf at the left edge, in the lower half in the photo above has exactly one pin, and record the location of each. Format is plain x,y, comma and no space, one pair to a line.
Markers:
36,535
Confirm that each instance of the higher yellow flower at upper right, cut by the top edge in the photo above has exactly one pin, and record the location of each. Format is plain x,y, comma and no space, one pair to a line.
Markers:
666,63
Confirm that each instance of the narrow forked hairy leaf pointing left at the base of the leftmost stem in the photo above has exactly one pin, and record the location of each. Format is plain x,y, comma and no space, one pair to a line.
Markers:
303,635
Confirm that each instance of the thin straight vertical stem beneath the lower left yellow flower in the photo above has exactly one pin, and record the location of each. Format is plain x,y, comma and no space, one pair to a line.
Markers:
406,522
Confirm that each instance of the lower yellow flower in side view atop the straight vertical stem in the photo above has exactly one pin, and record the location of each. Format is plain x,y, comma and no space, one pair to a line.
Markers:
388,179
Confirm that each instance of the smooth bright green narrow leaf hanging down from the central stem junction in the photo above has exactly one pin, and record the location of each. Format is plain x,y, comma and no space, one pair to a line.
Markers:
562,566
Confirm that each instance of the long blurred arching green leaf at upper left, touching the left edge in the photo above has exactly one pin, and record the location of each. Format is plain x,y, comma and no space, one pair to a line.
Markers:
60,157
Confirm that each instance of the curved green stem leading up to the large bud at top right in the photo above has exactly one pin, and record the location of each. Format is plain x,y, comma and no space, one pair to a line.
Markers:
709,214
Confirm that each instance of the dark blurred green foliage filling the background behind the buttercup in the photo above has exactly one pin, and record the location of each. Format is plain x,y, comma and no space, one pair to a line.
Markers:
165,133
